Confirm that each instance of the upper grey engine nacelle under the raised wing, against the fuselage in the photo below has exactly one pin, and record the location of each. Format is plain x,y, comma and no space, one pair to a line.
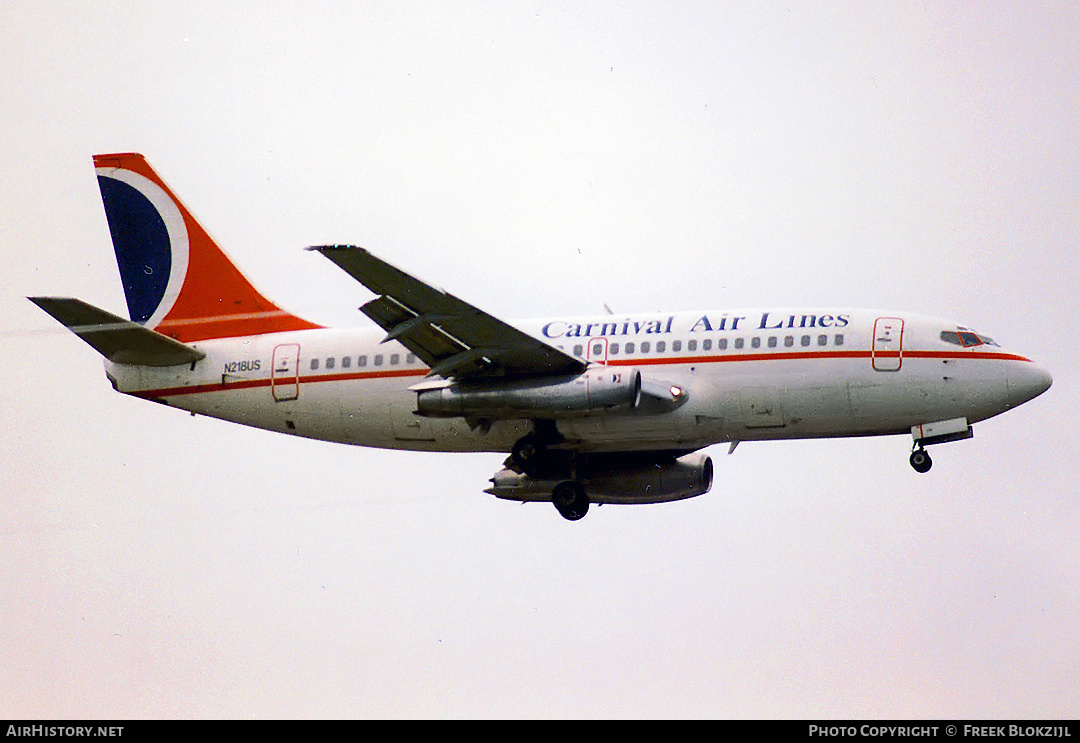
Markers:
595,391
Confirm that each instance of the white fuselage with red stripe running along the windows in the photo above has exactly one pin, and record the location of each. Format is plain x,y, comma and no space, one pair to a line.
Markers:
746,375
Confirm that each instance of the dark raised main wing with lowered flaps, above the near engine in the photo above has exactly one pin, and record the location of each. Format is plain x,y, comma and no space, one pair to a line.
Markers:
453,337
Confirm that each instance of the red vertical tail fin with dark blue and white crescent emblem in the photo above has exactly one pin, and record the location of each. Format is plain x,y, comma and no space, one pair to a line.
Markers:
177,280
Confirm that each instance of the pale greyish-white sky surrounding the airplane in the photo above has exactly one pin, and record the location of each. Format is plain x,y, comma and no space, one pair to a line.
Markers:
542,159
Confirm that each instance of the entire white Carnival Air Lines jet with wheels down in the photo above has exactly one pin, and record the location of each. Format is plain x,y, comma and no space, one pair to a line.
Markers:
612,409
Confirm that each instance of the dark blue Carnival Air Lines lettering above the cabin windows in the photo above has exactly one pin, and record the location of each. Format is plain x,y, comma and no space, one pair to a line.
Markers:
766,321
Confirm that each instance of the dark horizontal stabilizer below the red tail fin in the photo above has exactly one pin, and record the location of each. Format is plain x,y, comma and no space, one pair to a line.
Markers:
117,340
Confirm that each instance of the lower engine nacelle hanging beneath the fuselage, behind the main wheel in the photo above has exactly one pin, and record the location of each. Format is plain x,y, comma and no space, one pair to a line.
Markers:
618,479
